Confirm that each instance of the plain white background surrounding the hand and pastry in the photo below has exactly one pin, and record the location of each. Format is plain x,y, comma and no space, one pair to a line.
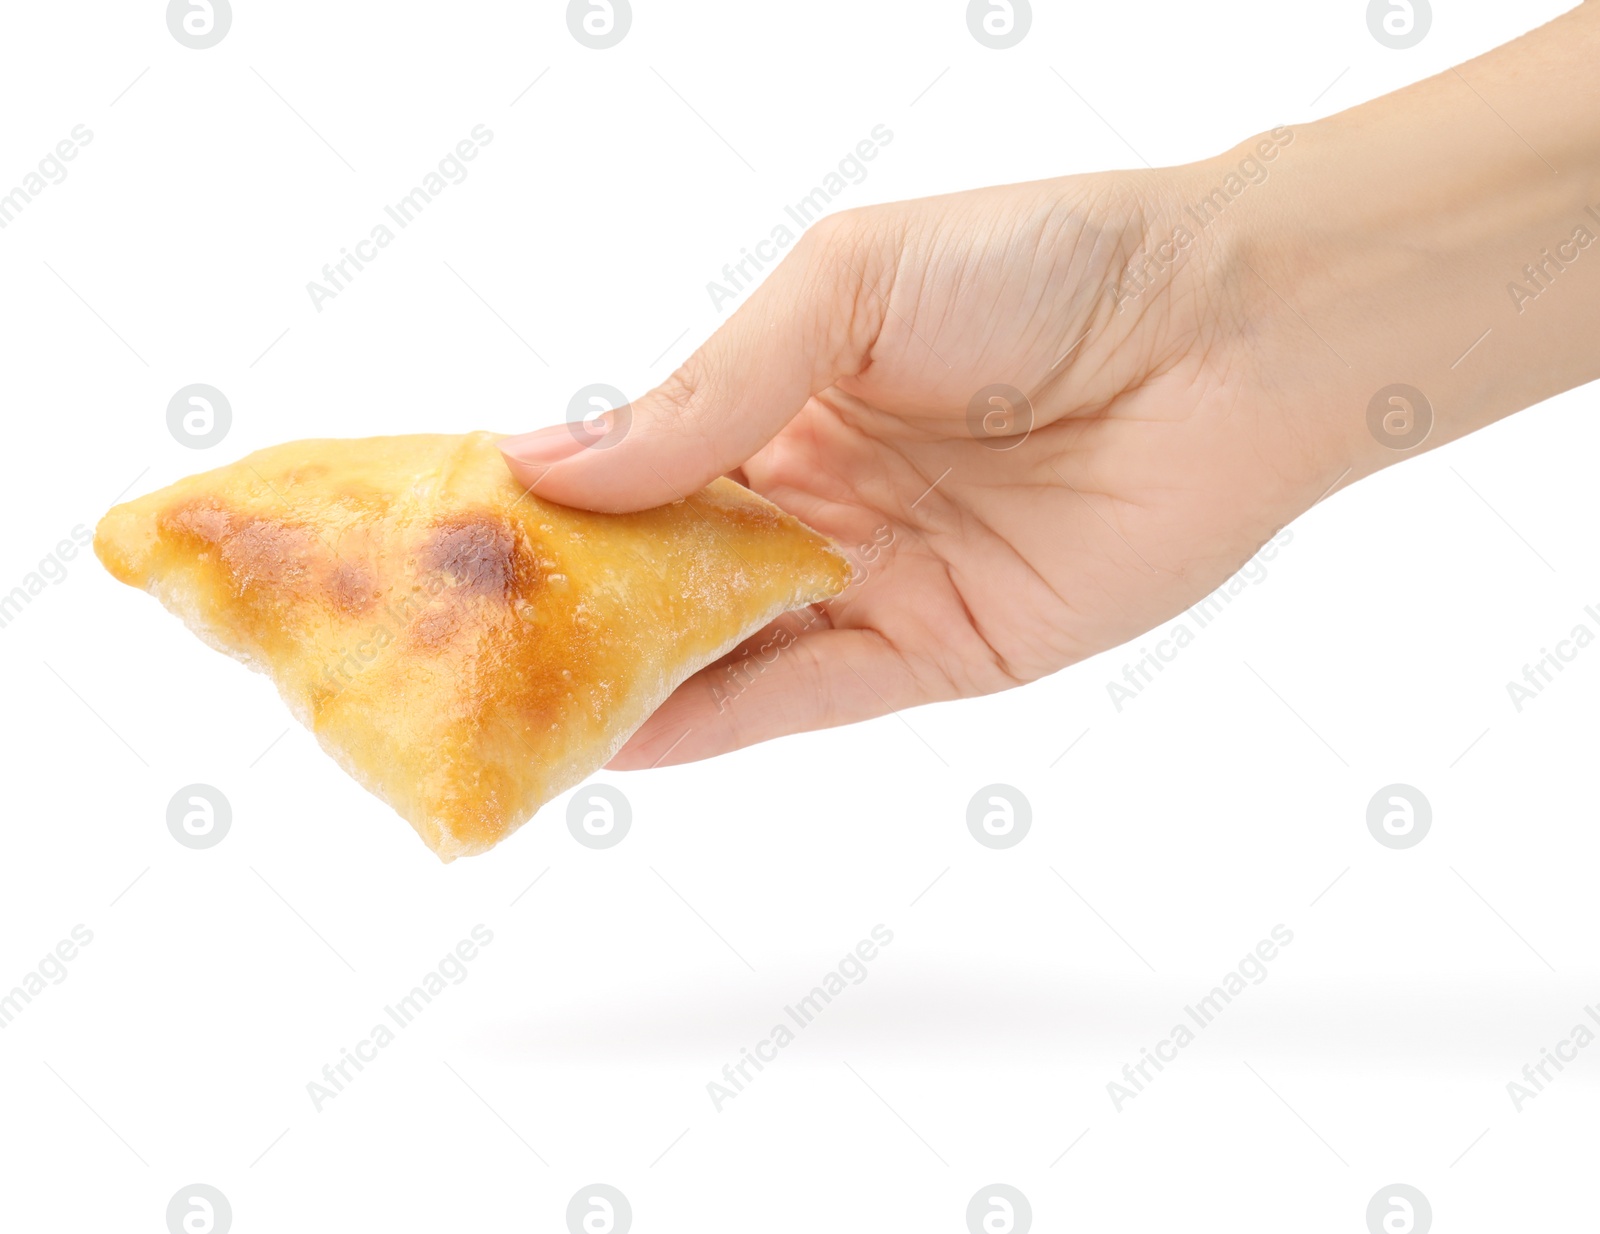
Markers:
578,1051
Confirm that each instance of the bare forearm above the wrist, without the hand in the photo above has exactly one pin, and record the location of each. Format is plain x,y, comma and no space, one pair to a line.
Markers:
1447,238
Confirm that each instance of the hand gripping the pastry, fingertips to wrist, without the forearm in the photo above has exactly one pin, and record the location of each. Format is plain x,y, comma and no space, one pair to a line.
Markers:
1028,459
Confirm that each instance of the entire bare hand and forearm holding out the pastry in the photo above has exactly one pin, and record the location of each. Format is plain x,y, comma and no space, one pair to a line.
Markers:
1183,399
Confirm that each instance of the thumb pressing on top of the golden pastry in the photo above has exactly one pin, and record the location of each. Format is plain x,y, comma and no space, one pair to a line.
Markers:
807,326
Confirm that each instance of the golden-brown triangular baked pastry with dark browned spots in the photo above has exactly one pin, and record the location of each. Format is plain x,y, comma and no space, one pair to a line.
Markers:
462,647
